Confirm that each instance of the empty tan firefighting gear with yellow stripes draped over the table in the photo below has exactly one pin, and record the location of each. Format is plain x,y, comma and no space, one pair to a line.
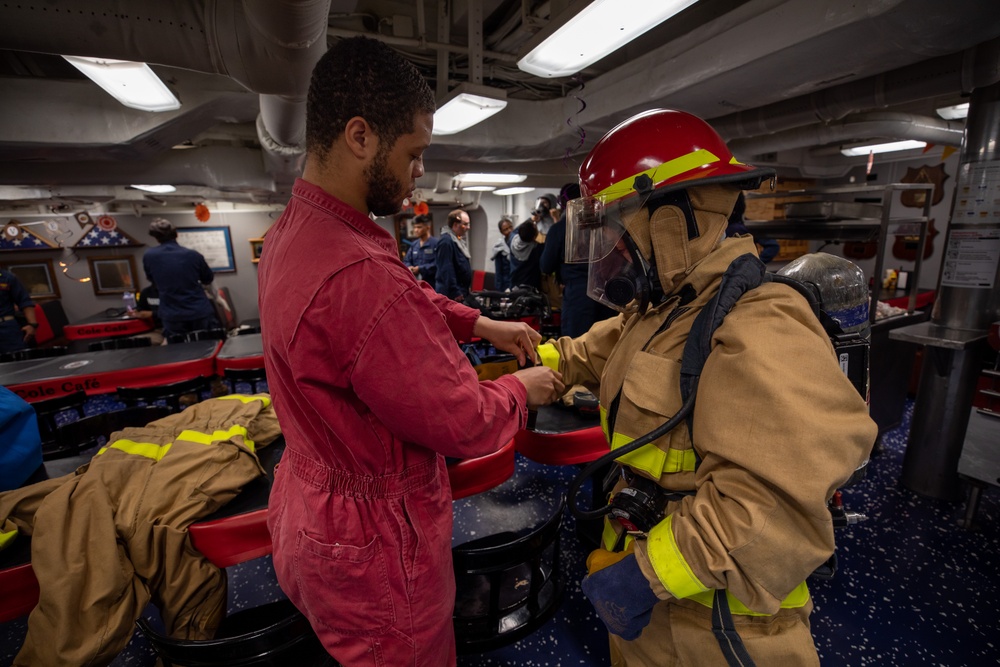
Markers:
111,537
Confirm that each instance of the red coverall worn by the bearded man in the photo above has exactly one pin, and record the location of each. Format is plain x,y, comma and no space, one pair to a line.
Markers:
371,391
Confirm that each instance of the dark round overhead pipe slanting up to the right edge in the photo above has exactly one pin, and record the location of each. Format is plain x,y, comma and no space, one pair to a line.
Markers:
966,70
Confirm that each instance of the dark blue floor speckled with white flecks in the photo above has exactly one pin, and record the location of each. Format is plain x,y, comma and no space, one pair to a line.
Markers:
914,587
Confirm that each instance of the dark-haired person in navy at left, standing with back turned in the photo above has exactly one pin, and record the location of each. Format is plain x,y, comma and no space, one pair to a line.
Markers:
181,277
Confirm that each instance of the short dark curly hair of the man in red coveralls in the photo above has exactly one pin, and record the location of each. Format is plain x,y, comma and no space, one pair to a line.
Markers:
363,77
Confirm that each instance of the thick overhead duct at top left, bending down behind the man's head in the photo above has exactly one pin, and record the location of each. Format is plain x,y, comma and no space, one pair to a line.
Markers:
268,47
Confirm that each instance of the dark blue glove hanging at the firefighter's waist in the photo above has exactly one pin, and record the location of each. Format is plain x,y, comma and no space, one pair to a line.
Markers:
622,596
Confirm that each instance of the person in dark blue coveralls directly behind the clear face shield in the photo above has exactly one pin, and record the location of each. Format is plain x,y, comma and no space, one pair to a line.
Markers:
579,312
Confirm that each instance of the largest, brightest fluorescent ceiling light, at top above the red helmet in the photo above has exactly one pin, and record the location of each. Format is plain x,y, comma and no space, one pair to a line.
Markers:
602,27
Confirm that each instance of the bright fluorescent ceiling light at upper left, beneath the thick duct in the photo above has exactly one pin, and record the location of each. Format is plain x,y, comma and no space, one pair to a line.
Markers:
132,84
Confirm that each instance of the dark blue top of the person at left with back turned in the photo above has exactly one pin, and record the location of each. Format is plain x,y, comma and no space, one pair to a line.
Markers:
179,274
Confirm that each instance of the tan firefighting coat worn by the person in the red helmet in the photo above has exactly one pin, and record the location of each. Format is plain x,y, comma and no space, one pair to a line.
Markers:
777,427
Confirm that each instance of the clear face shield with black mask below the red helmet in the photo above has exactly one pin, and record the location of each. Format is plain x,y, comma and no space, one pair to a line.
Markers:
596,234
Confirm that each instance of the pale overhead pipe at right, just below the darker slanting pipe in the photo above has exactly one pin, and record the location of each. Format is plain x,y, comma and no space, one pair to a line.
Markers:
886,124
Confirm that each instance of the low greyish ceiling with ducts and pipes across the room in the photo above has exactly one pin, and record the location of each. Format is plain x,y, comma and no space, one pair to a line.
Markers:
782,80
